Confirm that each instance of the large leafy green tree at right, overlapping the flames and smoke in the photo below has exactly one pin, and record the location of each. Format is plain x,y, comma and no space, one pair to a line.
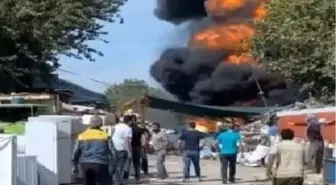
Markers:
298,39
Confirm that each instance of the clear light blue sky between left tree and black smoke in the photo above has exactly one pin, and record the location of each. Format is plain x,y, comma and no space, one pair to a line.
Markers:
133,46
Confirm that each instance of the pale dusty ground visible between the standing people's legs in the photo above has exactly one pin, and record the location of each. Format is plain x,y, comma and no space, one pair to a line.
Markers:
211,175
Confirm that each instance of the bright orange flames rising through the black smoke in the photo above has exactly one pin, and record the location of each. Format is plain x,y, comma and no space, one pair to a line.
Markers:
234,37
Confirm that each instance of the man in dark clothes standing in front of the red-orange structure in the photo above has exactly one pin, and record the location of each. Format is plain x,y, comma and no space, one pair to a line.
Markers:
316,144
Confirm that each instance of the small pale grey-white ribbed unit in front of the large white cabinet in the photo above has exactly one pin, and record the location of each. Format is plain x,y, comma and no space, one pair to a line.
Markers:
26,170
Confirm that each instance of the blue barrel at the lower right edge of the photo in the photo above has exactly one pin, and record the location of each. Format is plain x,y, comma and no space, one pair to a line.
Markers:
329,173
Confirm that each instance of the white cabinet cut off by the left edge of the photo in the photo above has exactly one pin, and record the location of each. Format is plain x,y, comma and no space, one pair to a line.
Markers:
7,159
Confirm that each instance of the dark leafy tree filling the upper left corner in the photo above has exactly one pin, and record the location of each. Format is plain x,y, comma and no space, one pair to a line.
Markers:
34,32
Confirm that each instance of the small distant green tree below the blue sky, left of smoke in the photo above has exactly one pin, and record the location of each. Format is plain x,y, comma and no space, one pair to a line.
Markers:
128,90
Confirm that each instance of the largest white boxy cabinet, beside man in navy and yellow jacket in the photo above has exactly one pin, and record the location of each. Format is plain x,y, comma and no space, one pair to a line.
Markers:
51,139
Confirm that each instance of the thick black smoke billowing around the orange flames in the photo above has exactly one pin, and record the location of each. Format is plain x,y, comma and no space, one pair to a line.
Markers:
202,76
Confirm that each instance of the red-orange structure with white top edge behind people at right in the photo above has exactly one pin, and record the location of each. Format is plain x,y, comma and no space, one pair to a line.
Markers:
295,120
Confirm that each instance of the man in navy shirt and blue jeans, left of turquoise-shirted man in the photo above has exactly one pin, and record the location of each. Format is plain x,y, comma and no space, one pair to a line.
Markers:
190,144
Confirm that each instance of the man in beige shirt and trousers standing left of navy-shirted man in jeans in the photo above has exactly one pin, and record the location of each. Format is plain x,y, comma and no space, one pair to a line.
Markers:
160,144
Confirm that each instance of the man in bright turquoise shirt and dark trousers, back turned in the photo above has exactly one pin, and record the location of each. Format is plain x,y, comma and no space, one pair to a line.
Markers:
228,148
